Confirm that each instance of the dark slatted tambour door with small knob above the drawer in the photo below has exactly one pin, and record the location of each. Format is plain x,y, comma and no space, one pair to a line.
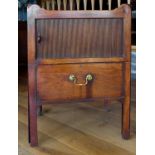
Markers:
79,38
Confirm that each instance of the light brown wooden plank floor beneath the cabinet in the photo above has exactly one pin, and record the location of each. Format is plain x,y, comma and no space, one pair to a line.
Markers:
76,129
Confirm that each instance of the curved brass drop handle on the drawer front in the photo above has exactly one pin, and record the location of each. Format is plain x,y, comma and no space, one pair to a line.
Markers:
73,79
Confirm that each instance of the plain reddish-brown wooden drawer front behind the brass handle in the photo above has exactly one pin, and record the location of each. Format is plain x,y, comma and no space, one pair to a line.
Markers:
53,81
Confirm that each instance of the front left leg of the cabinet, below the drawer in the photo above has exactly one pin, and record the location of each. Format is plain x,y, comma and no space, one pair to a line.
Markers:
32,116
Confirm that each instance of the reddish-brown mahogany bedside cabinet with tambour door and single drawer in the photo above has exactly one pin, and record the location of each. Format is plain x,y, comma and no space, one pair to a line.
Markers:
78,56
